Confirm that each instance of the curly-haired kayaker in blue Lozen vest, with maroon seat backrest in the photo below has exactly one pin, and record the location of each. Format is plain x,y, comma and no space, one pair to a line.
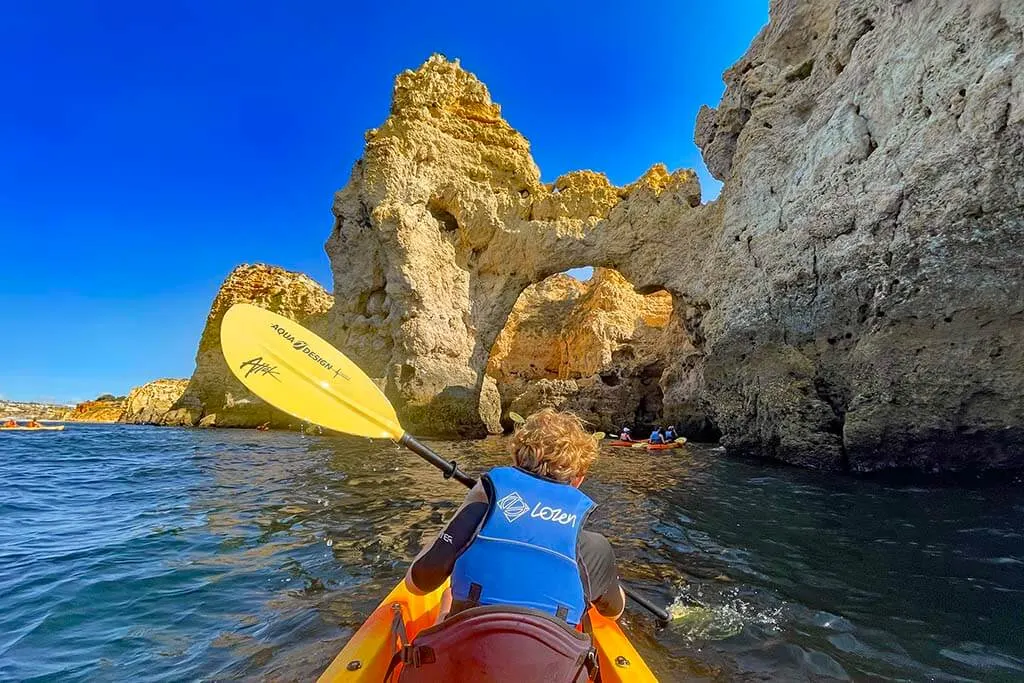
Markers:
517,546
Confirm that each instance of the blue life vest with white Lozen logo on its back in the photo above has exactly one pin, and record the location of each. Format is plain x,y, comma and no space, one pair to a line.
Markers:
526,553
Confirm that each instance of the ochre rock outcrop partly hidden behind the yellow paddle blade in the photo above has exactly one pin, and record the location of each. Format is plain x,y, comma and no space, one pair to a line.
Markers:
214,396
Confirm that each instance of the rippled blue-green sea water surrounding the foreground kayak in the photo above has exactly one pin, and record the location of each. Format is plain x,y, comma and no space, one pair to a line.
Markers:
132,553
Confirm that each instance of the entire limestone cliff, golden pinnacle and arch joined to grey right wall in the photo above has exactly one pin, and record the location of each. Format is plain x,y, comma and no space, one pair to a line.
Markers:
852,301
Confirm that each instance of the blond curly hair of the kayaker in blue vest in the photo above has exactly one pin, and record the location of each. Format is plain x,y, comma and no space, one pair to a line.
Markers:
554,445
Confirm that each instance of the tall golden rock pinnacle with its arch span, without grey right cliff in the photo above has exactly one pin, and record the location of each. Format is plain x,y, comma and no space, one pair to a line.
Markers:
446,222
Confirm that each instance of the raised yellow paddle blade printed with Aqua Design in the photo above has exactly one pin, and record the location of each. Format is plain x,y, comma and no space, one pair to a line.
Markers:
297,372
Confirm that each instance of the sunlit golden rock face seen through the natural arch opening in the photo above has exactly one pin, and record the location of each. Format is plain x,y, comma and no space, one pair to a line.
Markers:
596,349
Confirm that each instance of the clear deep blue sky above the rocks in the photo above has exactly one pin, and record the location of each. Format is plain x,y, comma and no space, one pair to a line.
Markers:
151,147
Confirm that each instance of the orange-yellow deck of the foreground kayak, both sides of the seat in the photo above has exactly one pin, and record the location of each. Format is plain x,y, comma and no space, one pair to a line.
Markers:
369,653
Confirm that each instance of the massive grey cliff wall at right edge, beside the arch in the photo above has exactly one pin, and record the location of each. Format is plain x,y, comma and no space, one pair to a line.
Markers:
867,289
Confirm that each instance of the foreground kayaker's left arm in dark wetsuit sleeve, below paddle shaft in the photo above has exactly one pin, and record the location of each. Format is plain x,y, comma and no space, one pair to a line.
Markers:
435,564
